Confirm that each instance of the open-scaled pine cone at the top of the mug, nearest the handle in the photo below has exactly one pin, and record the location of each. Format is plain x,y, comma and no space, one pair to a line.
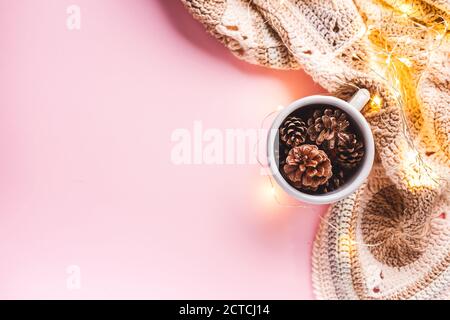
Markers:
327,127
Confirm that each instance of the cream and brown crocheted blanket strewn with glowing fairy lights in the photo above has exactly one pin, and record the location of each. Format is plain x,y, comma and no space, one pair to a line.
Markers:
390,239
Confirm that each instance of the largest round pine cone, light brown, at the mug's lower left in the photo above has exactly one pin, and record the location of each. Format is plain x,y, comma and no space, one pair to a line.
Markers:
307,167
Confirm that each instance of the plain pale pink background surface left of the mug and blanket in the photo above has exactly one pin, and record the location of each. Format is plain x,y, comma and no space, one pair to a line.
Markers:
86,177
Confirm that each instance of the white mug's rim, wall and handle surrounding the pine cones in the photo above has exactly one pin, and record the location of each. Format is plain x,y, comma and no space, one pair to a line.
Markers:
352,109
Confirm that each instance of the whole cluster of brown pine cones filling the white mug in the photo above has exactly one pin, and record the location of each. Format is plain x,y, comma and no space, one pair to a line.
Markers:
321,152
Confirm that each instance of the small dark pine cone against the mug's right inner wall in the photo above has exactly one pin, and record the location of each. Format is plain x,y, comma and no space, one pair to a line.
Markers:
350,151
